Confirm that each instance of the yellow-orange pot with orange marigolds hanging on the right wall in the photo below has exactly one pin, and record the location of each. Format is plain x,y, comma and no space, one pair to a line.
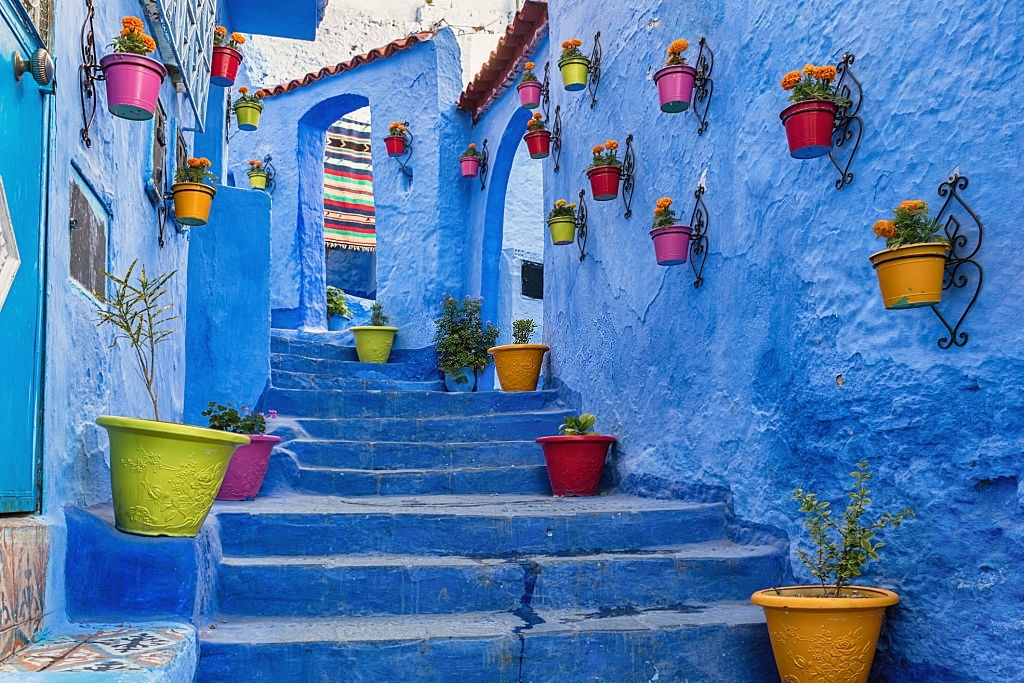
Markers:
912,268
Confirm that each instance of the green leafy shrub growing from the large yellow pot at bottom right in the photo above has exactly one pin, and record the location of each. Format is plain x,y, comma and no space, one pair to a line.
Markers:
843,546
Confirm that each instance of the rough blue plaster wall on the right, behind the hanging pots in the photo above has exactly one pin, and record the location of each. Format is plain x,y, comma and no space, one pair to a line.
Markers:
785,370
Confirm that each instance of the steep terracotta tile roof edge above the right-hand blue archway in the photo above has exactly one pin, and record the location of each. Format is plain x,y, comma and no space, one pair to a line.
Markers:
515,49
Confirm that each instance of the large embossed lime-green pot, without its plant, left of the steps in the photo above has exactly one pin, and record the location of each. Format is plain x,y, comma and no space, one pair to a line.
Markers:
164,476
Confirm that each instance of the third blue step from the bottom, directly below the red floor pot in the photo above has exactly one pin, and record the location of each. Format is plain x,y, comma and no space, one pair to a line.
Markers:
494,526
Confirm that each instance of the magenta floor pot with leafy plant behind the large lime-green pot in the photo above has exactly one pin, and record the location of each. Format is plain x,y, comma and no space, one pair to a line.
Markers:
248,467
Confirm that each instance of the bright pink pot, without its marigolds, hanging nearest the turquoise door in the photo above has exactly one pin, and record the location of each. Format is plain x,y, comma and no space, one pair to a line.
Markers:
133,84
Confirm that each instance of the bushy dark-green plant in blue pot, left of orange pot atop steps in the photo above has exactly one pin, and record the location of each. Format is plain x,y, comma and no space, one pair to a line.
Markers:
462,341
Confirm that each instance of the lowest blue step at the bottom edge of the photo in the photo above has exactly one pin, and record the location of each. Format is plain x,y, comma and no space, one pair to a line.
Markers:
685,643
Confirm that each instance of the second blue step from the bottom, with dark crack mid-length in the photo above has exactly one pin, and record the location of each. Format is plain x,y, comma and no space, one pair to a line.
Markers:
336,585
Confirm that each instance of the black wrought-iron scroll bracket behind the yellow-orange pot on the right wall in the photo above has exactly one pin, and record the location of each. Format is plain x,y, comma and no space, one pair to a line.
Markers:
961,263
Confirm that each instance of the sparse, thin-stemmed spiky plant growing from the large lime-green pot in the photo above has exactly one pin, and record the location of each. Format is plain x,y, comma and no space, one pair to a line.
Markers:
137,312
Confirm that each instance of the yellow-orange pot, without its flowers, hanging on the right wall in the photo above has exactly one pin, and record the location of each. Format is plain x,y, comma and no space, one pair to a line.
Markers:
911,276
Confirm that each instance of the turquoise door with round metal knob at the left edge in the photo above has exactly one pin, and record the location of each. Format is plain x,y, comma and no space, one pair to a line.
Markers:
23,122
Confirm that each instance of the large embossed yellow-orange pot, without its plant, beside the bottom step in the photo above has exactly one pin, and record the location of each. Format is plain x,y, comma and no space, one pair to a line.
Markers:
824,639
